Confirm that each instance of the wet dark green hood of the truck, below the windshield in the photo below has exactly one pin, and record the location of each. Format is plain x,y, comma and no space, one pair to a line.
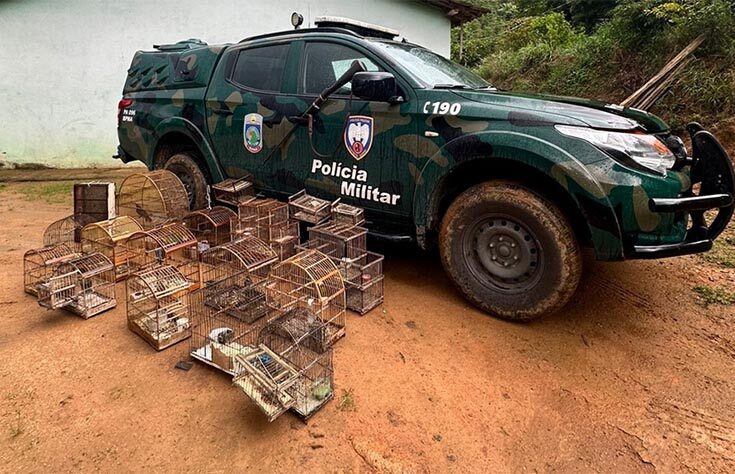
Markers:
593,113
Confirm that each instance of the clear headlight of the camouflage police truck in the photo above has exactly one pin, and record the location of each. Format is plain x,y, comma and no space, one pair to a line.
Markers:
638,151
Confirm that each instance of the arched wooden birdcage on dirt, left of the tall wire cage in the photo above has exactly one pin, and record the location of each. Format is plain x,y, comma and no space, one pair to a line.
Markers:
158,306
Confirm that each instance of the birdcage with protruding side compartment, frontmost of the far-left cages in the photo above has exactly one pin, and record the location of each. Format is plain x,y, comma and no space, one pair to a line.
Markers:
84,286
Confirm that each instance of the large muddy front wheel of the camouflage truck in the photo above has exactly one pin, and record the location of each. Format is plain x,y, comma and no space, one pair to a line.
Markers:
510,252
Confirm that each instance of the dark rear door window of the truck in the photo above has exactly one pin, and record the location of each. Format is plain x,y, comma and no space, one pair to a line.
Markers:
261,68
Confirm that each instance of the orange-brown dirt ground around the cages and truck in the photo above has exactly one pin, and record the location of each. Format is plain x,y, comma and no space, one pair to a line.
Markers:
634,376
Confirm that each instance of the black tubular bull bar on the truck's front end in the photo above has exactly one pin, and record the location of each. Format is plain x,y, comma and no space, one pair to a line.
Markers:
712,168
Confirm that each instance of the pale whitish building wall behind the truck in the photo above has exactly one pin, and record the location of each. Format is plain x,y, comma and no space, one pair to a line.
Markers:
63,63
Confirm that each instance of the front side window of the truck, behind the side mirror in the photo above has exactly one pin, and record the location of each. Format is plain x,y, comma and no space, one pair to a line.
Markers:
326,62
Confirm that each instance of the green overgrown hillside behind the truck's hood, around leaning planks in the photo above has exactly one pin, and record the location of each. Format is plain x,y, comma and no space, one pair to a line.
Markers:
606,49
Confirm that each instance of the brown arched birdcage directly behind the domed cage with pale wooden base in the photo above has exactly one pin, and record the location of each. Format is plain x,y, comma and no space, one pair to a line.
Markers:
169,244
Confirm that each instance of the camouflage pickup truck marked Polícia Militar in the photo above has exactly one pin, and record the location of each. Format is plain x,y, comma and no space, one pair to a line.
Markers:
509,187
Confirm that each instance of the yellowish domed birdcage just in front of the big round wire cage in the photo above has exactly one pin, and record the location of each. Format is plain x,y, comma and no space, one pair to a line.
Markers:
109,238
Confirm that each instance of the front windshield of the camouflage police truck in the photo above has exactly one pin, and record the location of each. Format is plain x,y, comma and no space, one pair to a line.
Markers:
430,68
